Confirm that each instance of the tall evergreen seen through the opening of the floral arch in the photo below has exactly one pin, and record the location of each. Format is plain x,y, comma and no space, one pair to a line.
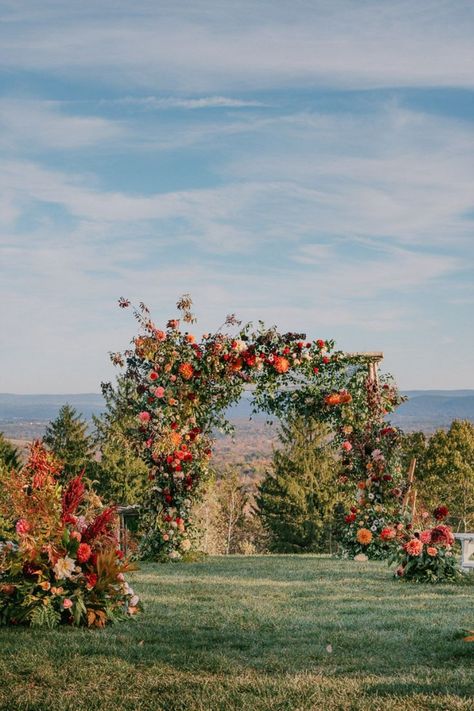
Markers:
298,499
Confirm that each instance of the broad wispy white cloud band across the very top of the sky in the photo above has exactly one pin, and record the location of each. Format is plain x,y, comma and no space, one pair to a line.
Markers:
208,45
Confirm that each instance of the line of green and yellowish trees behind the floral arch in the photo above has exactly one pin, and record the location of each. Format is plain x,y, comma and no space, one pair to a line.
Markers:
294,507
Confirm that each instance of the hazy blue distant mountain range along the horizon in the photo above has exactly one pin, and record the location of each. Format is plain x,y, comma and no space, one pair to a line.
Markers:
24,416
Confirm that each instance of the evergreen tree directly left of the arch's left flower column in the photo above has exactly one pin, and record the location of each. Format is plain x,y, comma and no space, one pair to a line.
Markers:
120,474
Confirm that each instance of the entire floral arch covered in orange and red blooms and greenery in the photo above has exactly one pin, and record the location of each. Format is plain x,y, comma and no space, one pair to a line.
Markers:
183,388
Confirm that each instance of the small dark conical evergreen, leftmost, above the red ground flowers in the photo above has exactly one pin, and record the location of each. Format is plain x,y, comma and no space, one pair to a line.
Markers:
67,438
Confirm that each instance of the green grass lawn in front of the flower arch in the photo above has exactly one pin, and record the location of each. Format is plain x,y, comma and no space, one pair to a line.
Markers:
276,632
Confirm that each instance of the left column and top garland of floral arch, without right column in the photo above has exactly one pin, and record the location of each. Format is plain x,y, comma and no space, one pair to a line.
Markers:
183,389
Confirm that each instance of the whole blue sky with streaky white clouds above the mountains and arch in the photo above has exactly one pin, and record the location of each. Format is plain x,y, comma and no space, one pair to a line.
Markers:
309,163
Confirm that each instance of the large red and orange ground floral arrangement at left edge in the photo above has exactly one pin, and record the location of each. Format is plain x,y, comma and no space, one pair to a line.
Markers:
62,564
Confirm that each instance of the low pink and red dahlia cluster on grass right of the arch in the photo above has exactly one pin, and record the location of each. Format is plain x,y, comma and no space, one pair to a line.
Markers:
424,550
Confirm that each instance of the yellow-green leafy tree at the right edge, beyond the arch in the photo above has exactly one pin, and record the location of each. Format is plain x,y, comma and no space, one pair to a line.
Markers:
447,474
